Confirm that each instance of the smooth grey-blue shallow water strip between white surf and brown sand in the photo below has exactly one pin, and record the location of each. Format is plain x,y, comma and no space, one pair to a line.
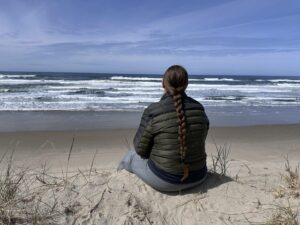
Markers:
98,120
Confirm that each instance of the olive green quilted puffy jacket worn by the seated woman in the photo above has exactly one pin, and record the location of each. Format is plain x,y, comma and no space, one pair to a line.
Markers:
157,135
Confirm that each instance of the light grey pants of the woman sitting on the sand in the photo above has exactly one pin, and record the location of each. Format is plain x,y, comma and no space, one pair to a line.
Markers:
133,163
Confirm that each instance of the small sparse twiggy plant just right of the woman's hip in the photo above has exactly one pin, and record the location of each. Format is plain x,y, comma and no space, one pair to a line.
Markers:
220,162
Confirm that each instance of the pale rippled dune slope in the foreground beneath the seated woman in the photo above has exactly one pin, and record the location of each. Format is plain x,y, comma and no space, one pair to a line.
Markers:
111,197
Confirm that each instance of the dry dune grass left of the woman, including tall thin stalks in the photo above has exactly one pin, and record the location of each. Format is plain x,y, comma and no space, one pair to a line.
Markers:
22,191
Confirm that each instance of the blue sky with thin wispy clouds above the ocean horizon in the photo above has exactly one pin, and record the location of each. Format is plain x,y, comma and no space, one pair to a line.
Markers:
251,37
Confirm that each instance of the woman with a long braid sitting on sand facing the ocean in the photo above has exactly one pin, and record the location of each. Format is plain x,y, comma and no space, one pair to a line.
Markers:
170,142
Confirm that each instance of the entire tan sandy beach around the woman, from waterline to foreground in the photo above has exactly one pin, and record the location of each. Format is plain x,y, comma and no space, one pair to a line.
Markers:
252,190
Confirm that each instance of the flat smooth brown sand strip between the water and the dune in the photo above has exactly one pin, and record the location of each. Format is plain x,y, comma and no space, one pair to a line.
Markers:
253,143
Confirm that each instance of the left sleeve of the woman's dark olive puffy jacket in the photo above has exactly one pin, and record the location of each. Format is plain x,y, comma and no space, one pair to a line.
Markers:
143,140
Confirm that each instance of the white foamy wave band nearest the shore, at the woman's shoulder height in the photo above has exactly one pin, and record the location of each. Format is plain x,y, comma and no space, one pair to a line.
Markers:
46,103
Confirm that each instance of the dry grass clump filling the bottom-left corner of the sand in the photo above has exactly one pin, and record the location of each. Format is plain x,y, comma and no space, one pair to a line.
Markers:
18,203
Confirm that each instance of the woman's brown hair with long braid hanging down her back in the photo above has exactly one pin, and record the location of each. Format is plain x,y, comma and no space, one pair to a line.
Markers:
175,82
